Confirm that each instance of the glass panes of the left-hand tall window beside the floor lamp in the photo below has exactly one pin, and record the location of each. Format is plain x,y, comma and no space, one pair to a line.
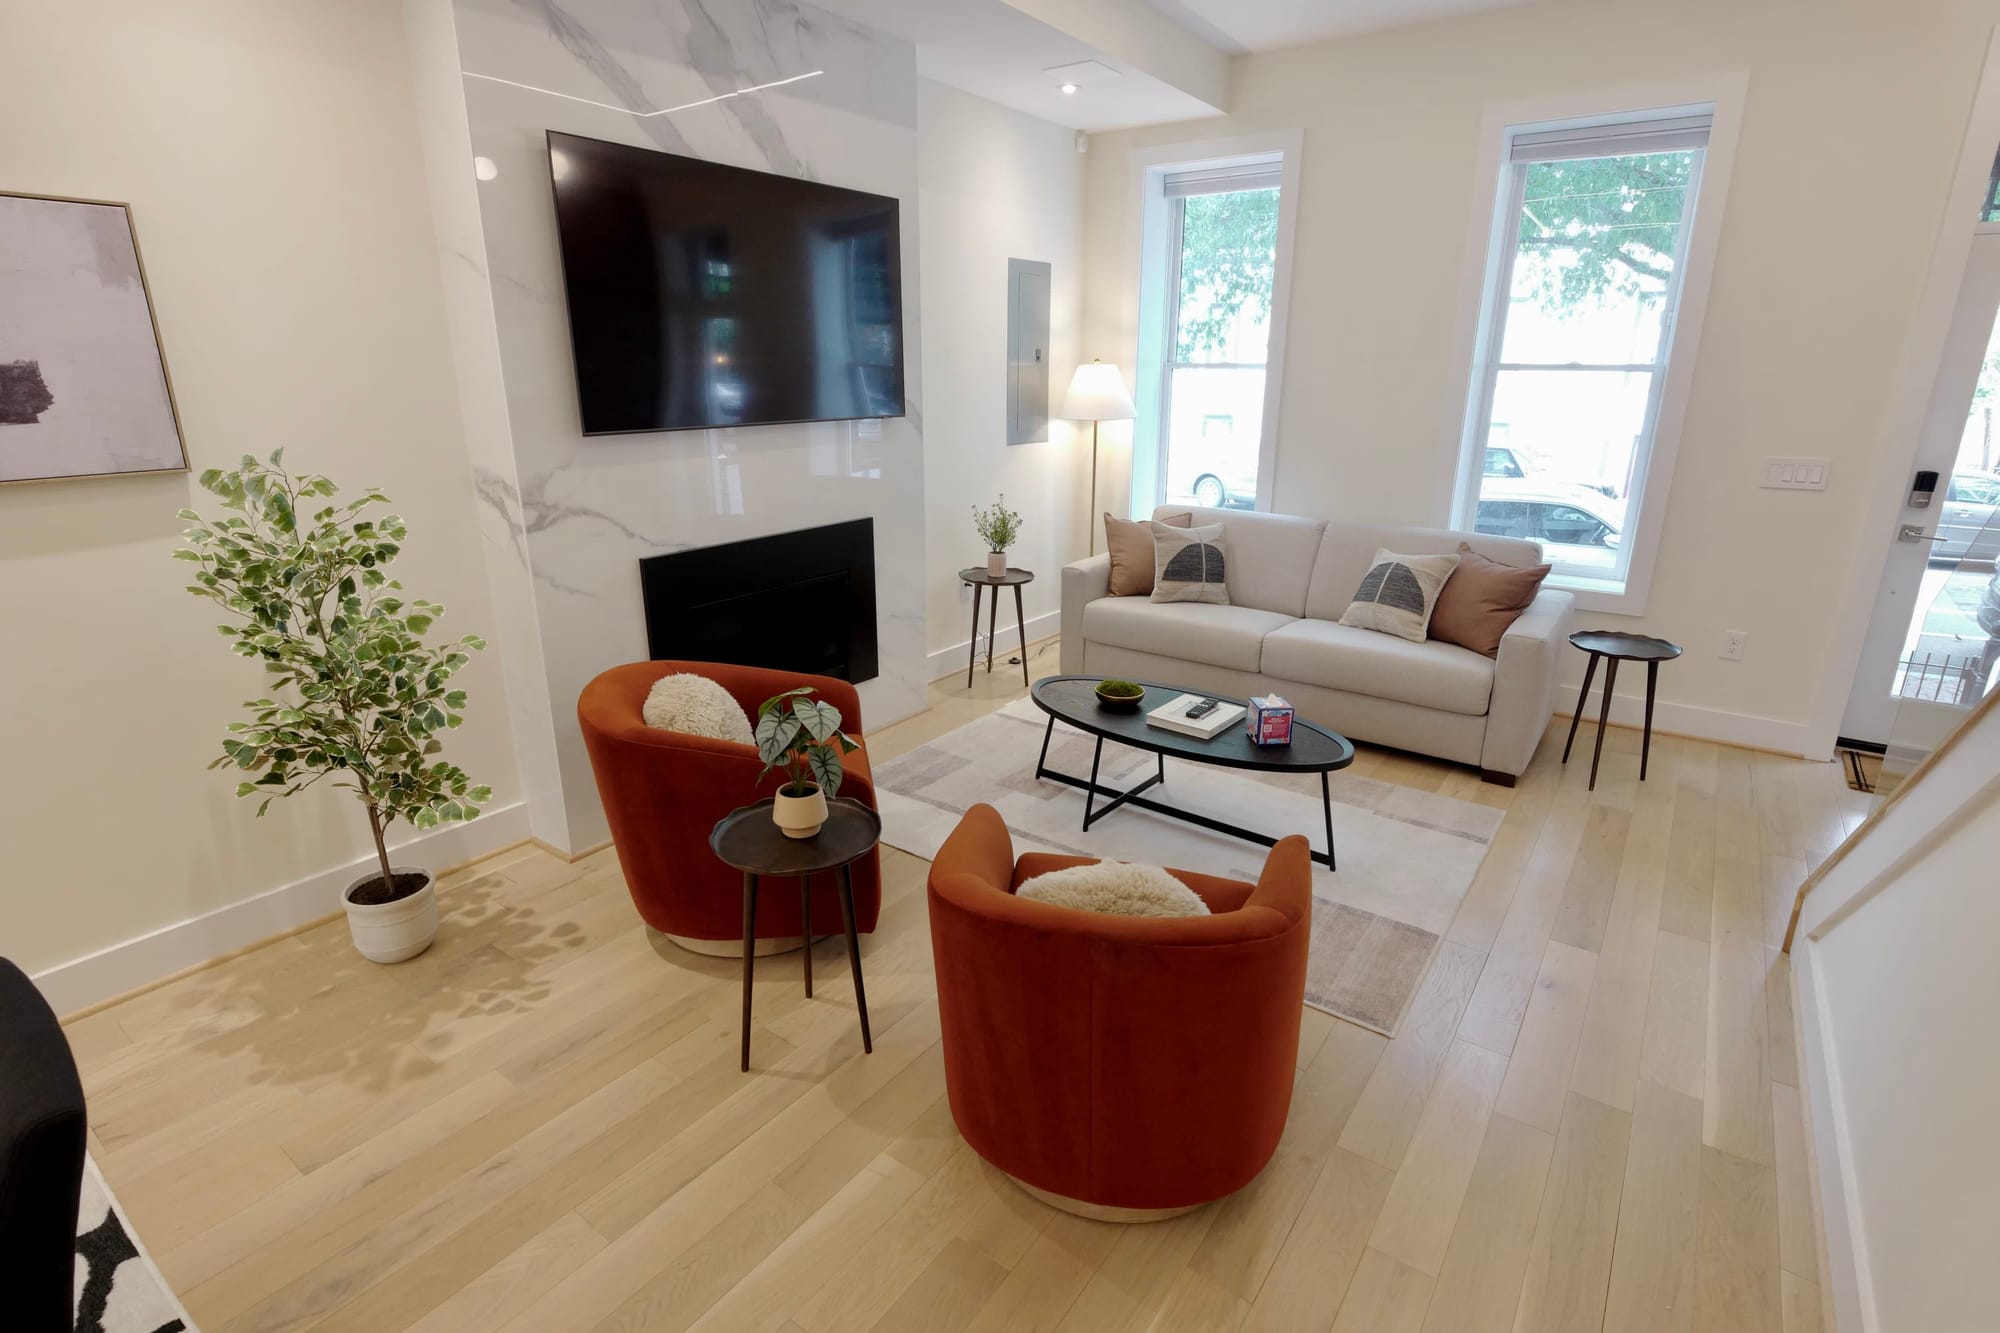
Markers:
1223,259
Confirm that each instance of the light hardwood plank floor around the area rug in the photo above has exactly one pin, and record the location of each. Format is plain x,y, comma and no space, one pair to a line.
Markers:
1587,1122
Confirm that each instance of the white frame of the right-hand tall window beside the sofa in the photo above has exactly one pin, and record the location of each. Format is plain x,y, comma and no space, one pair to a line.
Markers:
1491,249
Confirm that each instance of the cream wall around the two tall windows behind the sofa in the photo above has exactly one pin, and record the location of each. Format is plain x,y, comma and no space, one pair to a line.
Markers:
1849,143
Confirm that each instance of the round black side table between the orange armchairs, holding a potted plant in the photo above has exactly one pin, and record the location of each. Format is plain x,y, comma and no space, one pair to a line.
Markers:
755,846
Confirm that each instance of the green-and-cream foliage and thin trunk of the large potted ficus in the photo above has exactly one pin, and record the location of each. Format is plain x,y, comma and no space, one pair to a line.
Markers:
357,694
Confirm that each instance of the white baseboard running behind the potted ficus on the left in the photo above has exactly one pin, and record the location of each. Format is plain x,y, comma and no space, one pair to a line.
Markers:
187,944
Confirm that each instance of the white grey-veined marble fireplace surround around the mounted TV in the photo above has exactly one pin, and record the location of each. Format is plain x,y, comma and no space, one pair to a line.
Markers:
569,517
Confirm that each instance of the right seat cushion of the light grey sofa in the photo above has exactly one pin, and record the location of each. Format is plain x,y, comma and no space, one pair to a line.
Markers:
1431,676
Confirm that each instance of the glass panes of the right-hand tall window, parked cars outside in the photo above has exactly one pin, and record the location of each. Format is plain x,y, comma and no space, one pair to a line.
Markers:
1593,243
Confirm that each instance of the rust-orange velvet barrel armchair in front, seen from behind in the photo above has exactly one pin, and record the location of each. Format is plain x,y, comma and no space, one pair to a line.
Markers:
1121,1068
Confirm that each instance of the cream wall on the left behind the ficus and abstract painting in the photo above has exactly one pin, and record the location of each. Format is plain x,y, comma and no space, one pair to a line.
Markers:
269,157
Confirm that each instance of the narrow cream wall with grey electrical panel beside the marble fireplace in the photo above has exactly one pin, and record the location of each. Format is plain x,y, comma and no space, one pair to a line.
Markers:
995,185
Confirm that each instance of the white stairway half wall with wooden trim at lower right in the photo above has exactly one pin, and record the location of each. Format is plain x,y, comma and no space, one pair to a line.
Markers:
1897,994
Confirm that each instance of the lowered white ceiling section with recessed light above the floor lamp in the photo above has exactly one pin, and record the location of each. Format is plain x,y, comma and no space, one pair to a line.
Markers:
999,53
